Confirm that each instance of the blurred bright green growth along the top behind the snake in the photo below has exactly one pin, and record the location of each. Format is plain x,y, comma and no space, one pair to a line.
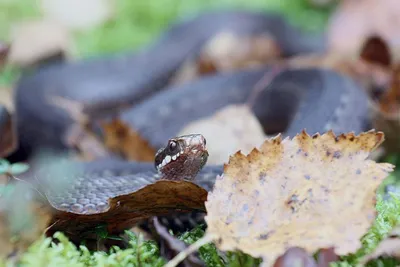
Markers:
138,22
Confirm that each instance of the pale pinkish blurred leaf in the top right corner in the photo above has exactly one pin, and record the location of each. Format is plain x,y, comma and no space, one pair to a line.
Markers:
356,21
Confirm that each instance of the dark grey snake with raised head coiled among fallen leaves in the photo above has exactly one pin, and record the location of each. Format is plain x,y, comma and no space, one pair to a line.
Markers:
312,99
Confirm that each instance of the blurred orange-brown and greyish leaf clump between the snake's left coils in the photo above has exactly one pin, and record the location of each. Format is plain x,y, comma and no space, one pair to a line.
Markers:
97,131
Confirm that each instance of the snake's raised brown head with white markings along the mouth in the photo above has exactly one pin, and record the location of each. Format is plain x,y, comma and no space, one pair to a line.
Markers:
182,158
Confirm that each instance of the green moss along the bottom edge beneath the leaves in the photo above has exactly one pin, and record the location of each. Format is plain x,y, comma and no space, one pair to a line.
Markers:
60,252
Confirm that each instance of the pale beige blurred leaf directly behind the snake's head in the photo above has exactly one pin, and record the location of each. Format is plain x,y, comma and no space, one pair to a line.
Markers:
232,128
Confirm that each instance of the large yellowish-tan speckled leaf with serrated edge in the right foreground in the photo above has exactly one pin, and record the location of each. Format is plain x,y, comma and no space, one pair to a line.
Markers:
289,194
